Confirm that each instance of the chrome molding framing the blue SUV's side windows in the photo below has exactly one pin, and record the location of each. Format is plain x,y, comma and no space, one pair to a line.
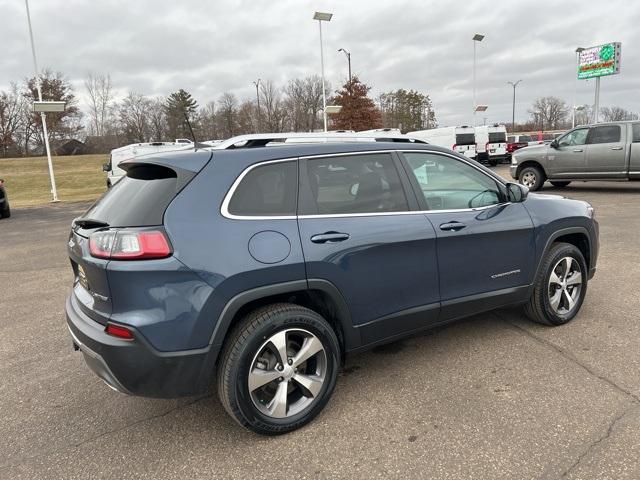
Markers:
224,210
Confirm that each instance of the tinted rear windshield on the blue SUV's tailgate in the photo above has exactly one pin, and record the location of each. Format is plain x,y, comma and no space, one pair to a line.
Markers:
138,200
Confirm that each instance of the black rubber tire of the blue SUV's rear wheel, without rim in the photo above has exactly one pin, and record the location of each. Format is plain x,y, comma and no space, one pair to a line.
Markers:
247,341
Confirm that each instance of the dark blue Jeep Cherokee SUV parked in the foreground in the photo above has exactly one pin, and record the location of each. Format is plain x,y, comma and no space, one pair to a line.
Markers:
262,267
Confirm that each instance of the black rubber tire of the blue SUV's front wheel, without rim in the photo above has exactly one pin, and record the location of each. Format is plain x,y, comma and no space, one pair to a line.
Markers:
539,307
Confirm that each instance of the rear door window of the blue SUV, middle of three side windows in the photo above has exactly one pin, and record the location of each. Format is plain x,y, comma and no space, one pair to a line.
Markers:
367,183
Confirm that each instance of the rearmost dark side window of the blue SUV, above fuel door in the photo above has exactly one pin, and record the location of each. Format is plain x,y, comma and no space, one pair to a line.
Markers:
267,190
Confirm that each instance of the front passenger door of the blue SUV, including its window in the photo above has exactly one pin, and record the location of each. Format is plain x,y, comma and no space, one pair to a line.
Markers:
485,245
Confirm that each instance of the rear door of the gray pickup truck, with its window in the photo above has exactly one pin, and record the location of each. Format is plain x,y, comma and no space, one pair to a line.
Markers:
607,151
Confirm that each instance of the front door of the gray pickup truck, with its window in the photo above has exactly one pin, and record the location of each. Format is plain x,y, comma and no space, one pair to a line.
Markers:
568,158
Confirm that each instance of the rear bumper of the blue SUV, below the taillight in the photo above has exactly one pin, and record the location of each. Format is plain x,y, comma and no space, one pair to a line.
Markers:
135,367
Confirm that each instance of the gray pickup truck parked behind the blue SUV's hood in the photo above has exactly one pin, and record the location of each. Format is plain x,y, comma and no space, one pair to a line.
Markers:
604,151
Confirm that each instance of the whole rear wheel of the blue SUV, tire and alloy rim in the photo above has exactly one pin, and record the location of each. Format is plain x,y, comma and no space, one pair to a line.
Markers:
278,368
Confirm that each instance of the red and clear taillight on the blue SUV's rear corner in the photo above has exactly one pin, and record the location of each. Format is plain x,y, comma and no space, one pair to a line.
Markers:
127,245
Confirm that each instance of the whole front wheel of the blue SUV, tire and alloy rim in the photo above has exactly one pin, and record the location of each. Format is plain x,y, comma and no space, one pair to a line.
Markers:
560,287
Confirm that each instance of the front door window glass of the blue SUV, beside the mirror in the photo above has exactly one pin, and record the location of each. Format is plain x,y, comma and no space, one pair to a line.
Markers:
450,184
